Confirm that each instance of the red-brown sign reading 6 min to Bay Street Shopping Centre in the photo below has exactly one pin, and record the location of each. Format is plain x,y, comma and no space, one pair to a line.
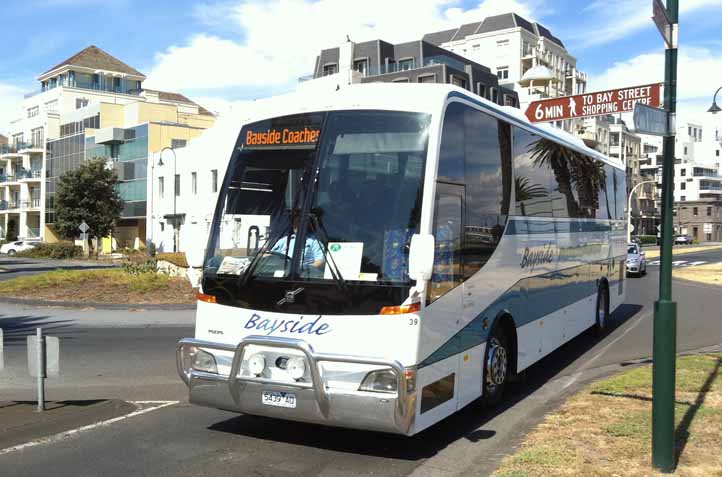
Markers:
594,104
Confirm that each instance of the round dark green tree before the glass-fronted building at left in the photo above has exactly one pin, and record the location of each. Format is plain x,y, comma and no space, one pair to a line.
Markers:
87,194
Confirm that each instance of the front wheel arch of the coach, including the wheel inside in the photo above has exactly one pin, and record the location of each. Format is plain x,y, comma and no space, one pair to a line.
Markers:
501,347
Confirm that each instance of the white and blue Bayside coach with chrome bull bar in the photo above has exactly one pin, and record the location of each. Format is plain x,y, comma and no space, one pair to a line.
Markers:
403,251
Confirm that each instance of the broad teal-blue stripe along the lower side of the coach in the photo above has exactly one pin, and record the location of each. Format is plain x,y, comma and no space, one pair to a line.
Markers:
530,299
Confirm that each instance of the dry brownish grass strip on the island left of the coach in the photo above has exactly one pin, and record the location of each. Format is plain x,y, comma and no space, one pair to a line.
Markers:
100,286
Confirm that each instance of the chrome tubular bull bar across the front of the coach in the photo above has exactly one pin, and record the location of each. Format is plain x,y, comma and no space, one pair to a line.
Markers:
236,383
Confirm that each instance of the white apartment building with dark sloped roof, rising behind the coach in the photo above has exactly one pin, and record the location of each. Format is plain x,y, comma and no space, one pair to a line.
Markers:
524,55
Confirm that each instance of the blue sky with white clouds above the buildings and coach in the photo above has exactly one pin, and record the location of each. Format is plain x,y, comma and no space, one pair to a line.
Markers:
232,50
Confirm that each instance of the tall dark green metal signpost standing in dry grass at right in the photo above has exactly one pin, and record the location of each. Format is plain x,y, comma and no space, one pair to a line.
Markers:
665,310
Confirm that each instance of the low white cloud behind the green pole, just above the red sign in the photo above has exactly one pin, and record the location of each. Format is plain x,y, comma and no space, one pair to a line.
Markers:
698,76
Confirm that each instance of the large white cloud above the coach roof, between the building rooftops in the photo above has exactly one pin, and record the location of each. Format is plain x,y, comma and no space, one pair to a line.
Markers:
281,38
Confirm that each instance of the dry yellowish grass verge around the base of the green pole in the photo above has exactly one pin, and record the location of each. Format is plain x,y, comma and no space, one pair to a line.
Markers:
605,430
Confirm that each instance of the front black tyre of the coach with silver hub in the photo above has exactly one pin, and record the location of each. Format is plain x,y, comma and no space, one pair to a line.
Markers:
496,367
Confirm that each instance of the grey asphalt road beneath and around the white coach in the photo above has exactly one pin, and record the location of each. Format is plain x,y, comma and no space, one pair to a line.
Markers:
137,364
